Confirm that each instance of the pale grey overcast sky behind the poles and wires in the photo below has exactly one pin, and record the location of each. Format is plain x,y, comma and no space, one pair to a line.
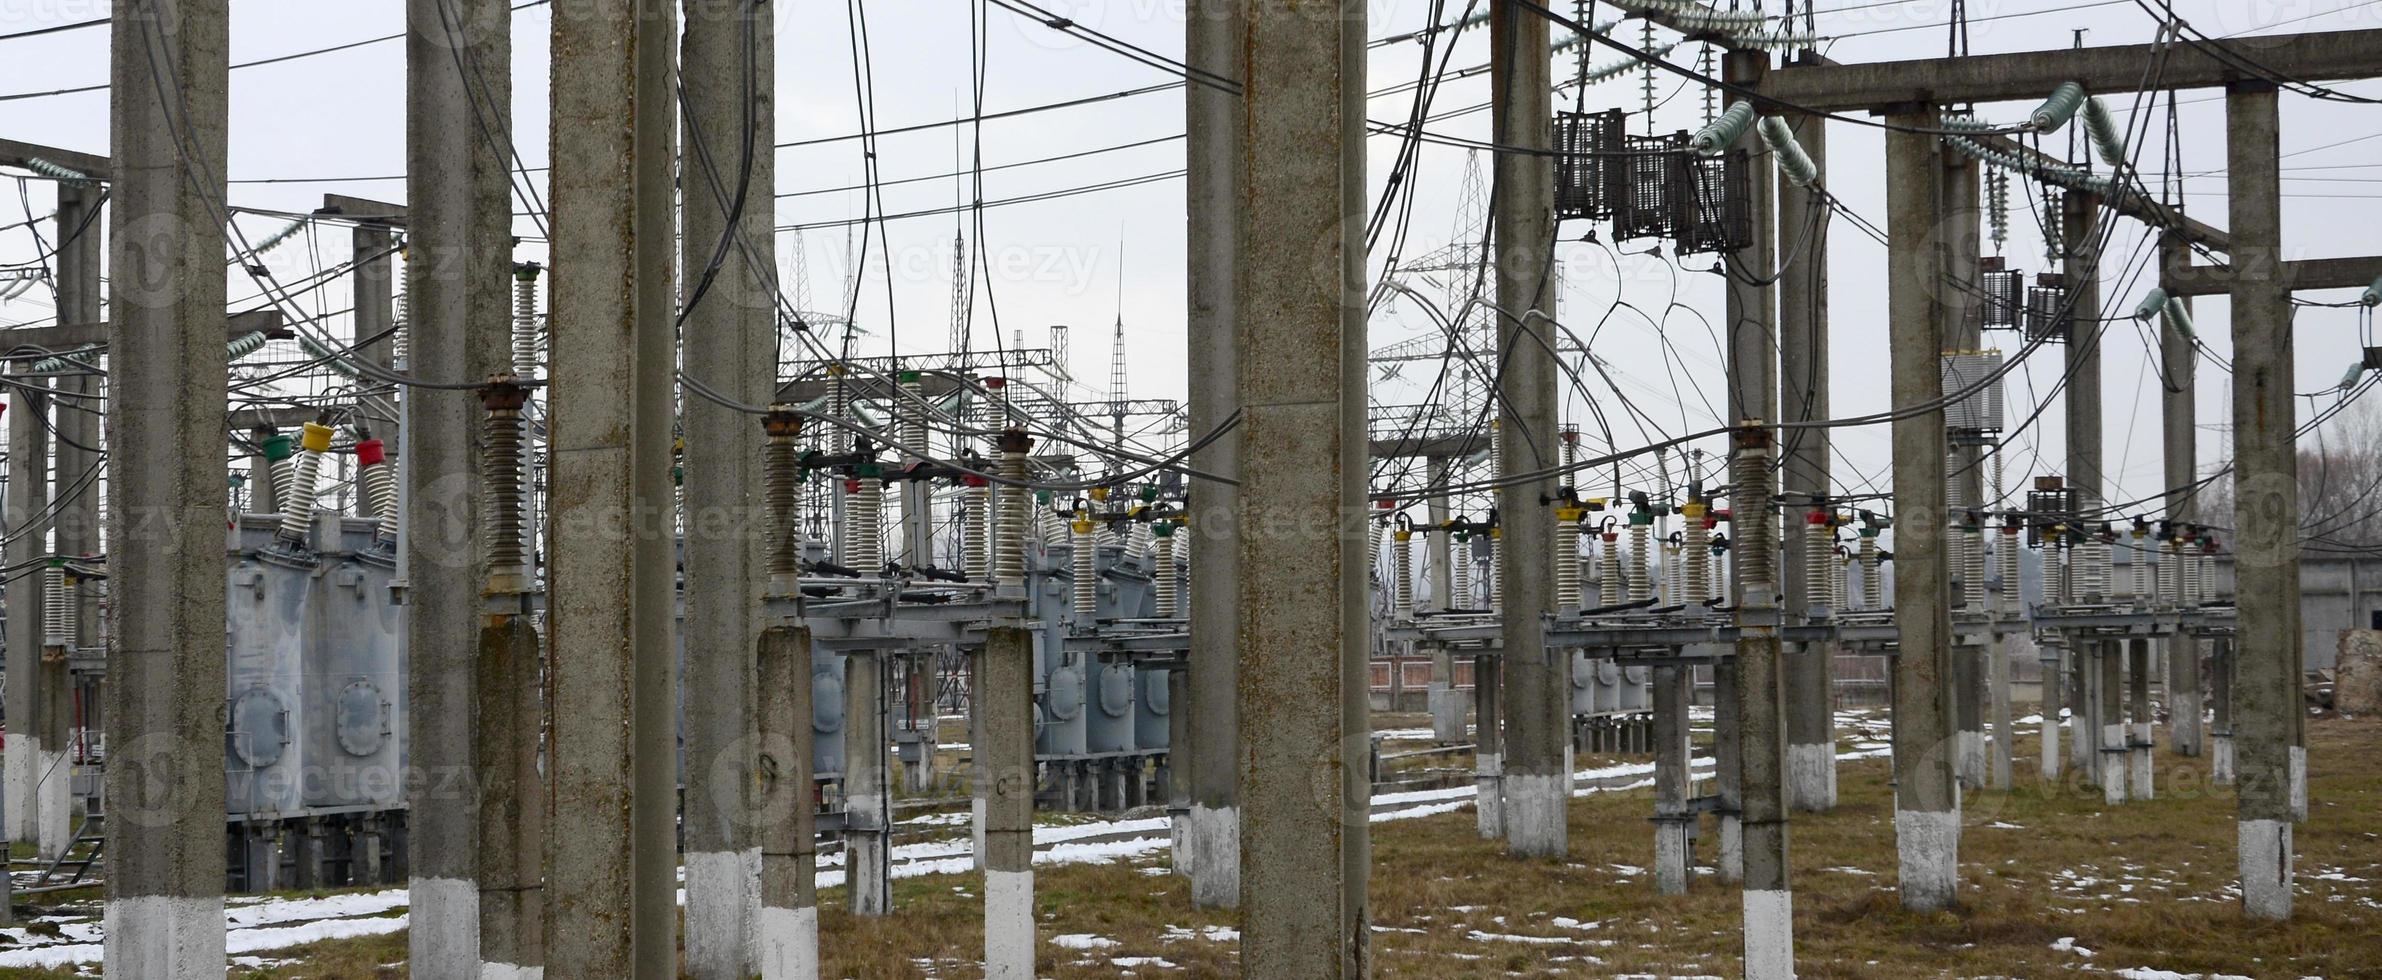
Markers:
1064,261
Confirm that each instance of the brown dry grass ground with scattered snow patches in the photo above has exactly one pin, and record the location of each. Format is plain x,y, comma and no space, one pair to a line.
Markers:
2052,883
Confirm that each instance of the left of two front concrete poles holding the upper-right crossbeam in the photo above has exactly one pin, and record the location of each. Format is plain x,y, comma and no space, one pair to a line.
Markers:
1926,798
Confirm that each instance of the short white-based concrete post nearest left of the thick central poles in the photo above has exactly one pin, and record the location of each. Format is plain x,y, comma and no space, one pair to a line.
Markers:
1006,690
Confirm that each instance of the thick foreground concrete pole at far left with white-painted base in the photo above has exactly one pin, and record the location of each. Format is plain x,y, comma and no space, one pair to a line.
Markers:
166,418
